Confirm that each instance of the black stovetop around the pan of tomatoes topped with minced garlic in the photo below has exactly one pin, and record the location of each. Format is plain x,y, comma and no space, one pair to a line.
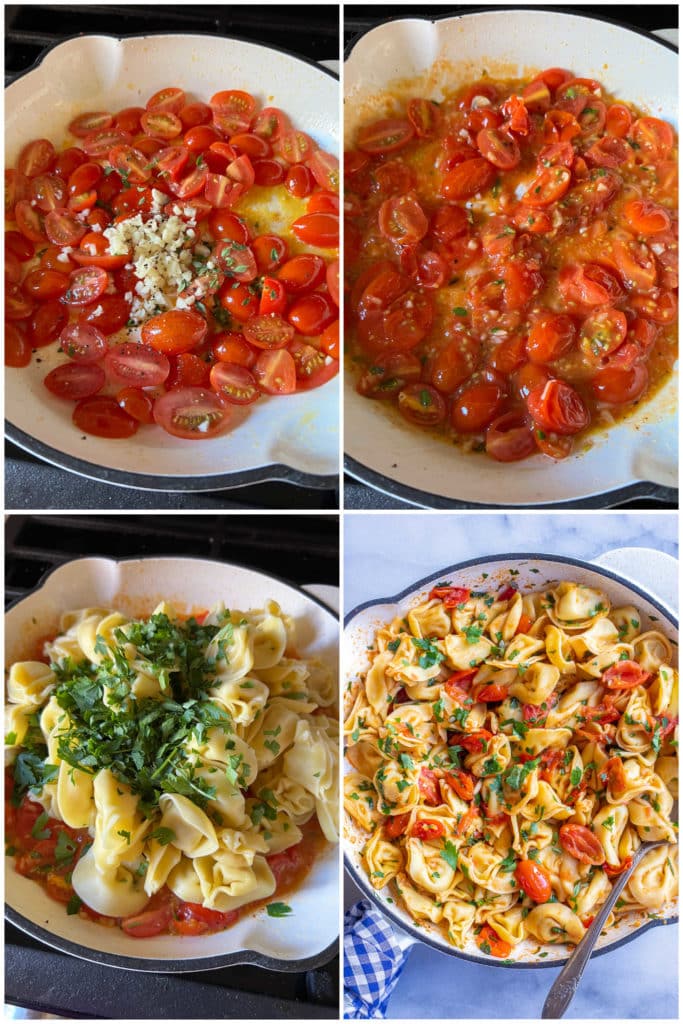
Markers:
30,30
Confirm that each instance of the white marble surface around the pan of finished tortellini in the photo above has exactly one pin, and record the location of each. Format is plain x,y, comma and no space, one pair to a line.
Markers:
386,553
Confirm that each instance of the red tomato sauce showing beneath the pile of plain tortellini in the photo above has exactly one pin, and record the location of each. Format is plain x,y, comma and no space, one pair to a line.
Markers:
48,850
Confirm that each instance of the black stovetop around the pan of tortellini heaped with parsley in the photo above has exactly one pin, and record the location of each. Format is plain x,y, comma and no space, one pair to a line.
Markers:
301,549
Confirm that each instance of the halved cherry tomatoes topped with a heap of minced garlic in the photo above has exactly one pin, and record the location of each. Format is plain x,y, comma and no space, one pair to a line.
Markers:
227,291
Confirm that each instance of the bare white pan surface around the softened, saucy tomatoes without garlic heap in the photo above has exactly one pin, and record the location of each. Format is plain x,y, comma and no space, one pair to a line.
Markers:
433,57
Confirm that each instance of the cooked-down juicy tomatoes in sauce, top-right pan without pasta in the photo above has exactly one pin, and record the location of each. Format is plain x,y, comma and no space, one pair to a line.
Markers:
511,263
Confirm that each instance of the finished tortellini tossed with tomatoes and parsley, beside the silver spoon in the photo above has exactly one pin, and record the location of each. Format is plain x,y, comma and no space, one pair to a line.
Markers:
510,753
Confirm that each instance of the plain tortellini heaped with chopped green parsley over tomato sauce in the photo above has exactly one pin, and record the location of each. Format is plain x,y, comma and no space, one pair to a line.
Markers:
168,773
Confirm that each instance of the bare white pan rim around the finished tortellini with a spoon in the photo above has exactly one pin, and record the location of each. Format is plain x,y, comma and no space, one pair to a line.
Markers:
532,575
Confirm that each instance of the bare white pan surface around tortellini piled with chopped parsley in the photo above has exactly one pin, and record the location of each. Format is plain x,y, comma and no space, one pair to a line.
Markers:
136,587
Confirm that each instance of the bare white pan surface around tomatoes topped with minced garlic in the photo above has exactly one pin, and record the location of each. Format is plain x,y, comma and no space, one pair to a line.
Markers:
101,73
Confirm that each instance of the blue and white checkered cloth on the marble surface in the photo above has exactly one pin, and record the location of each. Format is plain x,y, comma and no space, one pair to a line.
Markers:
373,962
